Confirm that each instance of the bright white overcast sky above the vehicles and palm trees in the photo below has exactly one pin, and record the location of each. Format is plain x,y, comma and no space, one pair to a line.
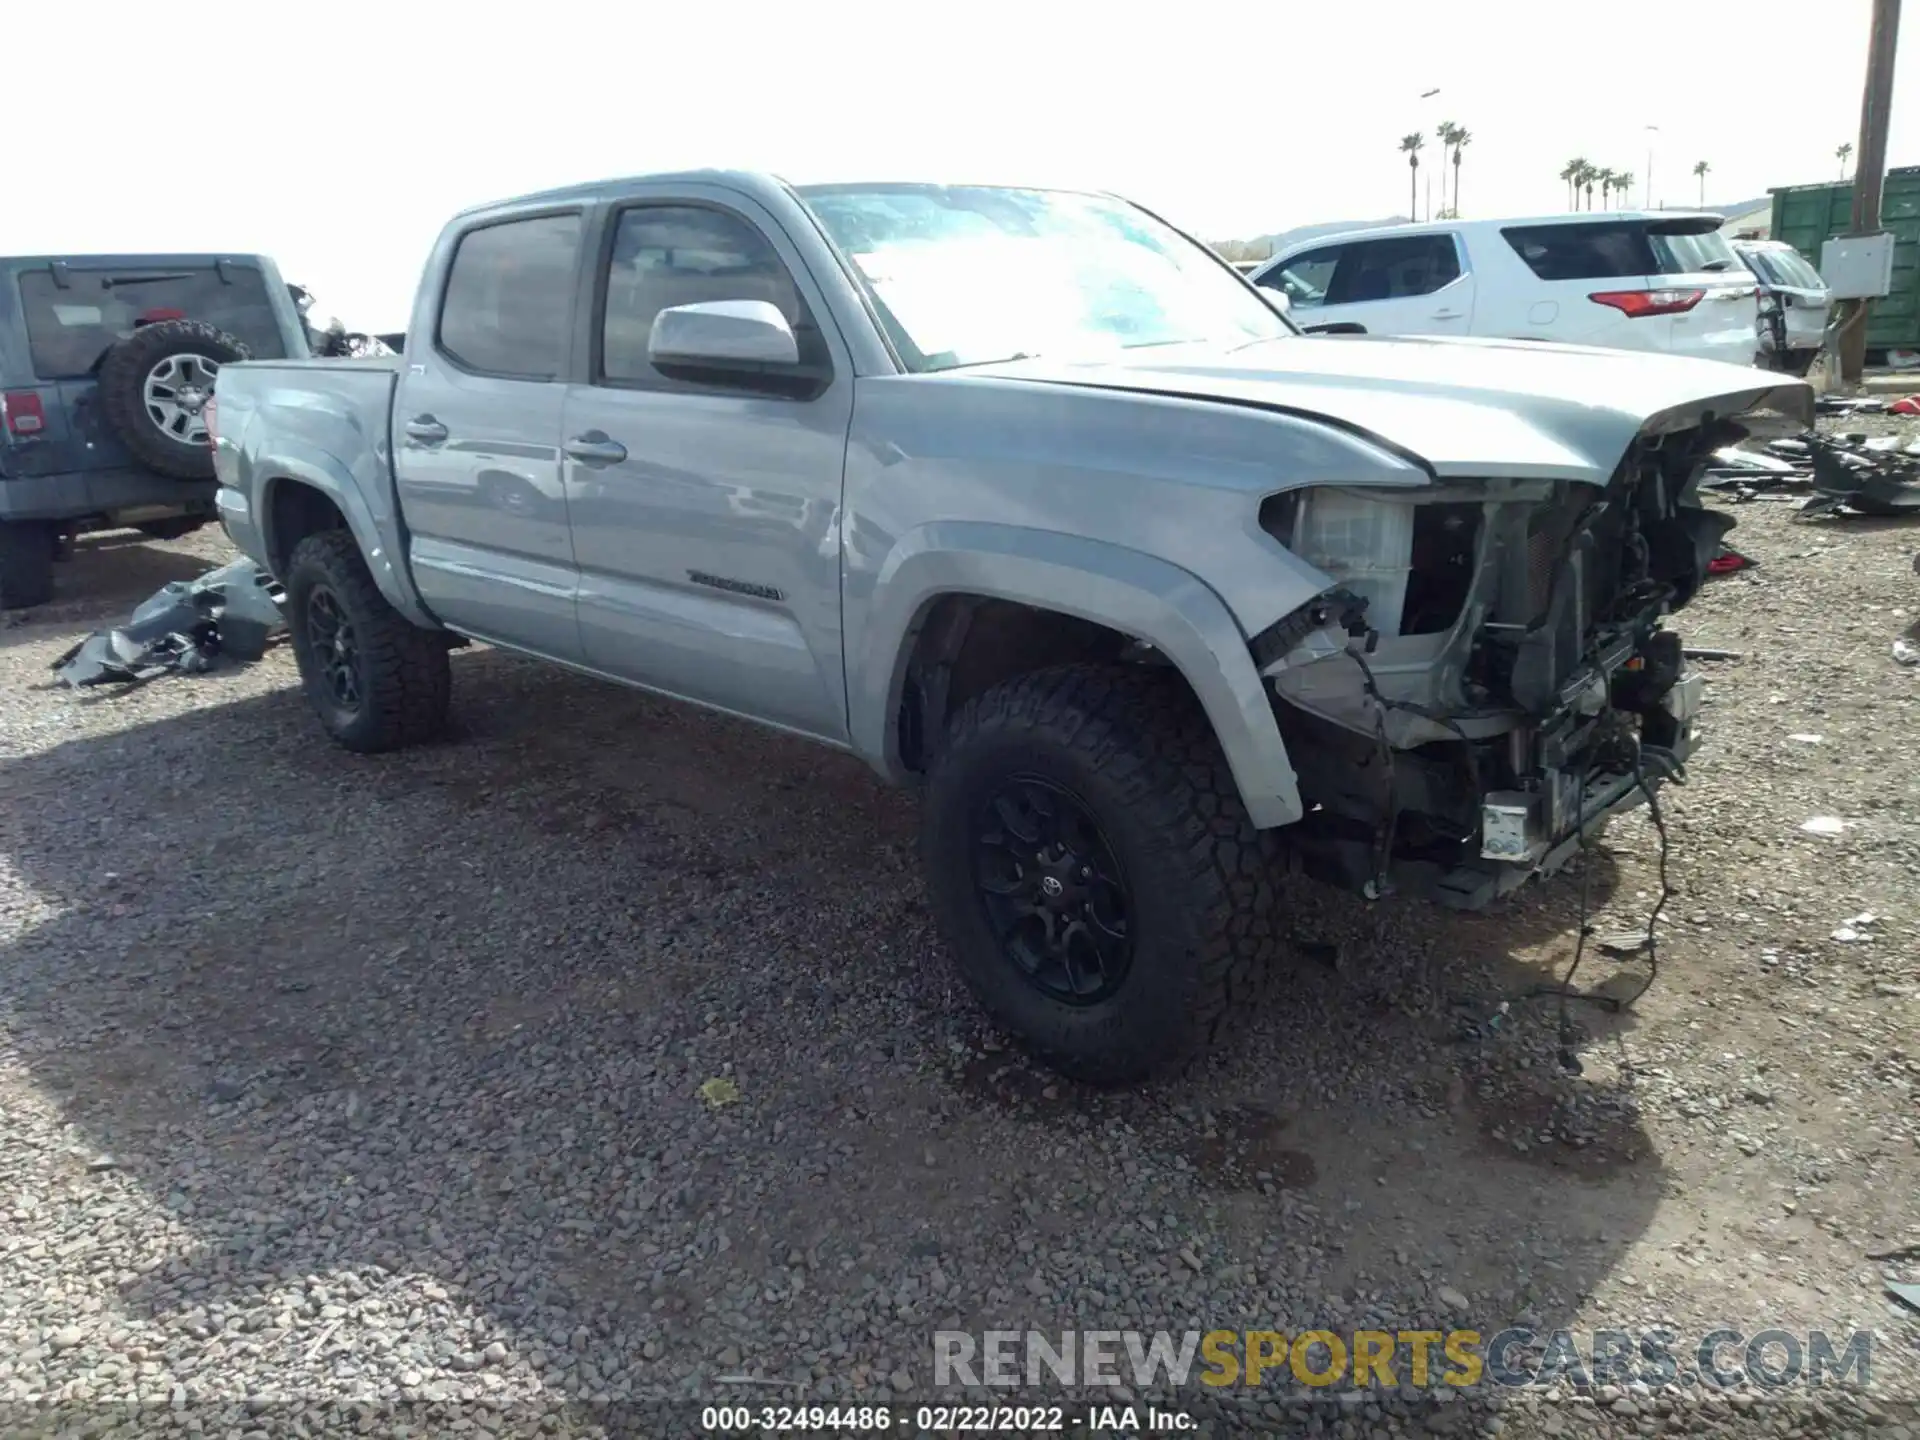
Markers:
339,137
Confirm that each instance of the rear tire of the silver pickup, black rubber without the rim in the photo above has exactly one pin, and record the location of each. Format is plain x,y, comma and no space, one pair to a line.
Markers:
402,669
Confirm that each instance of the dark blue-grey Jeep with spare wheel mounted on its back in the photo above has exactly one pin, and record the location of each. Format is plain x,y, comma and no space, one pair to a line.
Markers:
107,364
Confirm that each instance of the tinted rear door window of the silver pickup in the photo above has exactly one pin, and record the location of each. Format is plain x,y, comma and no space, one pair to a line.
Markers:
510,299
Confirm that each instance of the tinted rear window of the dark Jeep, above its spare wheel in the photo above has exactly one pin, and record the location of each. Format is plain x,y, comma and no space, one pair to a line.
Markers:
72,325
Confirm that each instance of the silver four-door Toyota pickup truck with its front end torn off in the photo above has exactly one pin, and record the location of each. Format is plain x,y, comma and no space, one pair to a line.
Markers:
1030,500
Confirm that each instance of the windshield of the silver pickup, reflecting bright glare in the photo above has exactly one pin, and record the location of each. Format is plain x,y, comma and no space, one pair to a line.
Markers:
971,276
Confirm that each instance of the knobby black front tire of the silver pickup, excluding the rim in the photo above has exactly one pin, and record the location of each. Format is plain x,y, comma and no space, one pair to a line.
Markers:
1136,750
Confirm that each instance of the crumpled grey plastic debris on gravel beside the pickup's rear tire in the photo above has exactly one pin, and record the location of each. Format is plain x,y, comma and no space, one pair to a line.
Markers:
185,627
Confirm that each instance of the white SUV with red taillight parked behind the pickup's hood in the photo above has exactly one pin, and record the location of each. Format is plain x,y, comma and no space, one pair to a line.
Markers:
1623,279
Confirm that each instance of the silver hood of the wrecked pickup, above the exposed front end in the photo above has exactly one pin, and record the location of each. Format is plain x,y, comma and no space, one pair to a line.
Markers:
1464,408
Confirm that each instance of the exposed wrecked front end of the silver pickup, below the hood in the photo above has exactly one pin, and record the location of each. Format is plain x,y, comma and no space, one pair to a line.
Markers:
1491,675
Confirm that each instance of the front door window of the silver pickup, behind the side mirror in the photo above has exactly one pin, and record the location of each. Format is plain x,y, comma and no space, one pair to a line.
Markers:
681,256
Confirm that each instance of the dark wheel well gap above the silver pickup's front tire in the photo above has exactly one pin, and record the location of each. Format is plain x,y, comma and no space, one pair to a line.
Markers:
971,644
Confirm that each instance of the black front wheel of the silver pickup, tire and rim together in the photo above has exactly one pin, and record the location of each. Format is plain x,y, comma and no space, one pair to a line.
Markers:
1093,871
